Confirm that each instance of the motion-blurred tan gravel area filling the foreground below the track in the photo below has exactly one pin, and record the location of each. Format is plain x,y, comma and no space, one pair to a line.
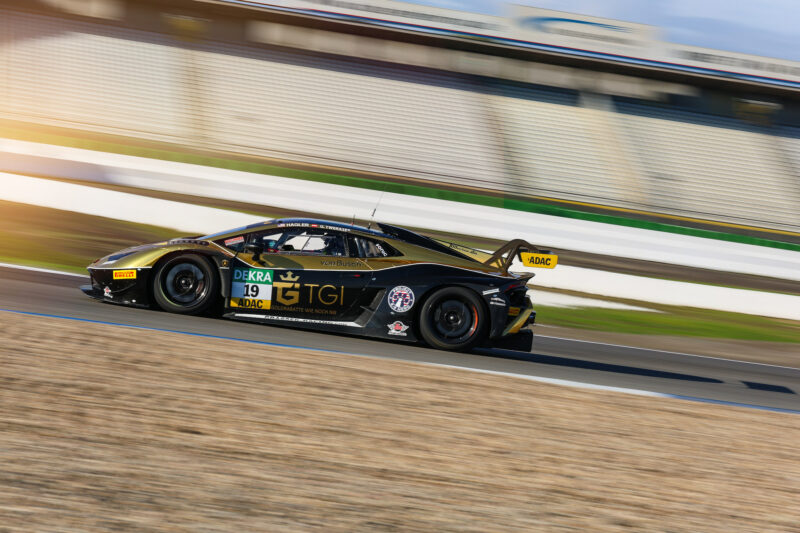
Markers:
115,429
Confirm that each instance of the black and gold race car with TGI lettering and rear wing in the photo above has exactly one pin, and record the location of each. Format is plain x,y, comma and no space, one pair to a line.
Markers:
386,282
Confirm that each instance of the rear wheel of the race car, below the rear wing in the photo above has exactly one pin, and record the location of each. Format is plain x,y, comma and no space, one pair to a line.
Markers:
452,318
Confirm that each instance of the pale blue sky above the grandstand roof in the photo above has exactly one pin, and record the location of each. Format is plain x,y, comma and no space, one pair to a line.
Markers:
766,27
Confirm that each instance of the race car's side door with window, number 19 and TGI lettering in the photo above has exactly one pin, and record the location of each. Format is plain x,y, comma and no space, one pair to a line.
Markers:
301,273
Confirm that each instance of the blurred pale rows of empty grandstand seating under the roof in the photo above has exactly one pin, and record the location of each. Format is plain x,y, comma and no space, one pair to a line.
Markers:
436,125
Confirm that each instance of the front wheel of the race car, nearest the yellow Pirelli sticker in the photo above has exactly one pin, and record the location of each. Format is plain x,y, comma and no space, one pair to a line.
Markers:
185,284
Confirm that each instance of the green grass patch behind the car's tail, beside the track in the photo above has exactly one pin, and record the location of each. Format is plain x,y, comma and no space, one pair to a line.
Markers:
674,321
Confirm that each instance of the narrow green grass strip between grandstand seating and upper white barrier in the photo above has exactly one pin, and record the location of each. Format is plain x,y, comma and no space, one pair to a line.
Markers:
427,191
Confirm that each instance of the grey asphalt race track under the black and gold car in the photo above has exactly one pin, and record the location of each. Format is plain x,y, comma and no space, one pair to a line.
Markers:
599,364
